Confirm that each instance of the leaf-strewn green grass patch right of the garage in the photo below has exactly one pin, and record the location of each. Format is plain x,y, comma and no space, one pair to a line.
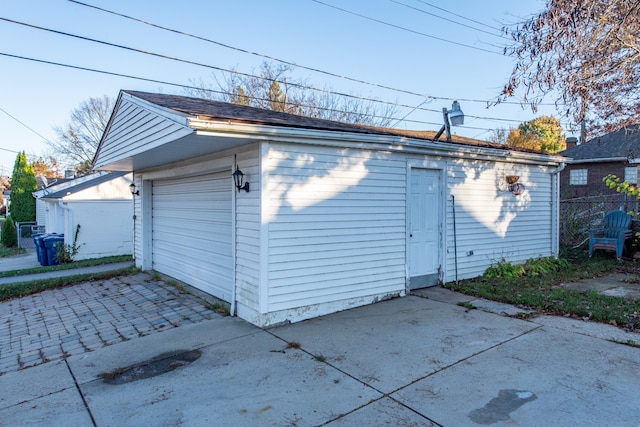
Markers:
543,292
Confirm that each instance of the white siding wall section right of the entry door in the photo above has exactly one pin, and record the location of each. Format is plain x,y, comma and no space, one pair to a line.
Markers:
493,223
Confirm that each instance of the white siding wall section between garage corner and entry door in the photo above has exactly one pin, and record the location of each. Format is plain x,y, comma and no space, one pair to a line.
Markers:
336,225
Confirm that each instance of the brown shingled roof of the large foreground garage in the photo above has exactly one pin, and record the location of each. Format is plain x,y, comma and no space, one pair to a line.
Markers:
215,110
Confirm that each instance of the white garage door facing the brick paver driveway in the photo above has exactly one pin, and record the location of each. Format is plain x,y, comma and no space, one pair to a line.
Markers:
192,231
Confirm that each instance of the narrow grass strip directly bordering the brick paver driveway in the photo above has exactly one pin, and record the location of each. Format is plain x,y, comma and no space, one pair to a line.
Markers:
20,289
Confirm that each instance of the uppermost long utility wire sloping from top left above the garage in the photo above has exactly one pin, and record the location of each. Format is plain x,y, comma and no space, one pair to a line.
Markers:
293,64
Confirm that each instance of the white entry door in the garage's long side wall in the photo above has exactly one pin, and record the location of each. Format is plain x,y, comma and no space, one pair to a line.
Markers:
424,228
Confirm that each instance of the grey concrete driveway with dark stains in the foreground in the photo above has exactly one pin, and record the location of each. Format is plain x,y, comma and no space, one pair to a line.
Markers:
413,361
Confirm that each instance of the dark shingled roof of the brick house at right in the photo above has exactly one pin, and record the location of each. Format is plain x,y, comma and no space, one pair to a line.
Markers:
612,146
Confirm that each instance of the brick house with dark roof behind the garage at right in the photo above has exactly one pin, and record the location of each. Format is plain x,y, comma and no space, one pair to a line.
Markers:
615,153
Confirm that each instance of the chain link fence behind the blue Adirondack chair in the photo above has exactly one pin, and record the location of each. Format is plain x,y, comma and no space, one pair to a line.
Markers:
579,215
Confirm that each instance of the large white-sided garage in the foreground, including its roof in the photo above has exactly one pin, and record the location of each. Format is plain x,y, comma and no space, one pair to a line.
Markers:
336,216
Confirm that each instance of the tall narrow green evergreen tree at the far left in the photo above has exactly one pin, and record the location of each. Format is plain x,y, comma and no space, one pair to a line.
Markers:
23,184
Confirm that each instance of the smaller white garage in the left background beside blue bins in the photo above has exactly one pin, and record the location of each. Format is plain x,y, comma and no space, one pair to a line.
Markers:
101,203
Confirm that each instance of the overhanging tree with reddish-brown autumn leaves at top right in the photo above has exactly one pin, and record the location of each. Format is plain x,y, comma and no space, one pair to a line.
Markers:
586,55
